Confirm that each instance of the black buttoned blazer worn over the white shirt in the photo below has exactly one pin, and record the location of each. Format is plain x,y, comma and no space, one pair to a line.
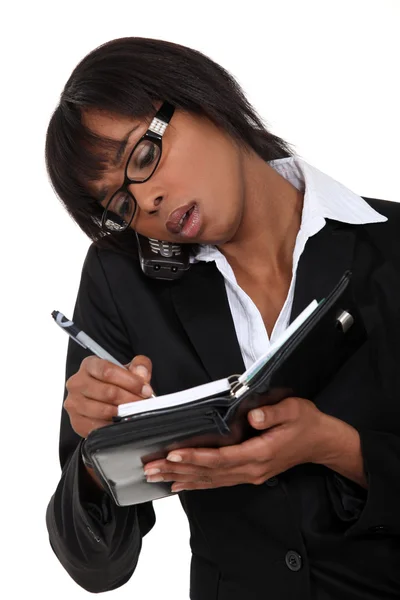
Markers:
306,534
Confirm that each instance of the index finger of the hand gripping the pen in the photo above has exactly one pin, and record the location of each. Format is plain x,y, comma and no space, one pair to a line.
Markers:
103,370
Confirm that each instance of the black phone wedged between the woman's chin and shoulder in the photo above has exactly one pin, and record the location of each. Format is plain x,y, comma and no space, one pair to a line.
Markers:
162,260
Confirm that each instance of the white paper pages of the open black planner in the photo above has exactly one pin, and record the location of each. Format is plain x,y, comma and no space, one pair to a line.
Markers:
214,387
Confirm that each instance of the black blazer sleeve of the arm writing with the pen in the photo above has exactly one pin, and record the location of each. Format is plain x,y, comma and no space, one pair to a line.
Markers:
96,541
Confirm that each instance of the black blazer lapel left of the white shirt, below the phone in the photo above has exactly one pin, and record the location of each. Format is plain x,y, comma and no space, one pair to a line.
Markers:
202,306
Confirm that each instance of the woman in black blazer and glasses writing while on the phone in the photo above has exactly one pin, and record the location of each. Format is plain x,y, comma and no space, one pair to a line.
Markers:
308,509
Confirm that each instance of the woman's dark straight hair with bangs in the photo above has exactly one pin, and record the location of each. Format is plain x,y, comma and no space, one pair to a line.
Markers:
127,76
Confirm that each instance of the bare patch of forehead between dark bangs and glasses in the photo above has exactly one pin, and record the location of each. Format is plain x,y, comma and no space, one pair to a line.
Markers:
110,125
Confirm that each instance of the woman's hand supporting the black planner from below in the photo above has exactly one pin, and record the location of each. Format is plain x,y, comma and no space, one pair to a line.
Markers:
296,432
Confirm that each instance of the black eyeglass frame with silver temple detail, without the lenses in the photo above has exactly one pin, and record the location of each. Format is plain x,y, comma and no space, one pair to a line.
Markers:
155,134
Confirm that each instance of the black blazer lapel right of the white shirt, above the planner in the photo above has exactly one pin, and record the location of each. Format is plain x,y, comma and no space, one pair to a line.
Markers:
326,257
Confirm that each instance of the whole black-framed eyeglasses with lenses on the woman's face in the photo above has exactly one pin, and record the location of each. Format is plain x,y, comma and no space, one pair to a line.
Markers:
140,166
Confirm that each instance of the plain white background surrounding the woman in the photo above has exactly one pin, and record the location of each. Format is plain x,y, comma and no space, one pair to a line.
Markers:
323,74
